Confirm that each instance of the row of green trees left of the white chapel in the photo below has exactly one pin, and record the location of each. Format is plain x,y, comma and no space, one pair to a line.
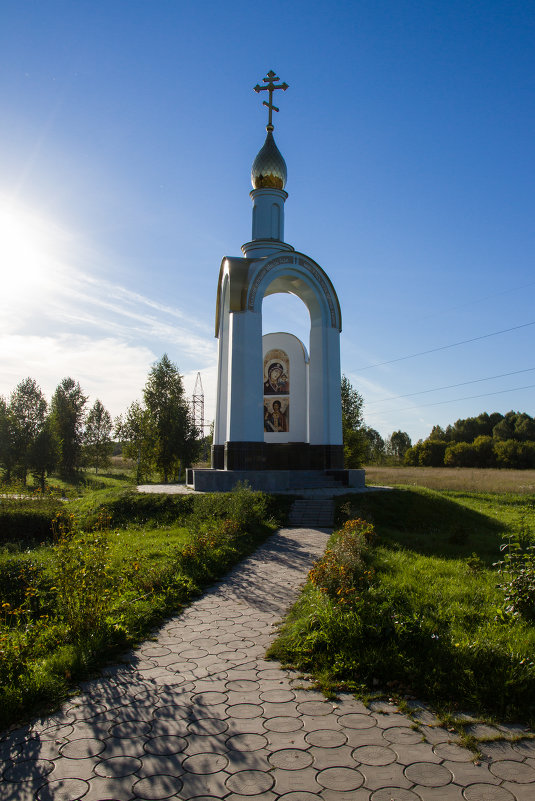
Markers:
39,438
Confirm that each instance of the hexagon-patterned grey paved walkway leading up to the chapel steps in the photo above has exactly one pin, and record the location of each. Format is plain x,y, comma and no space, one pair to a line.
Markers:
198,713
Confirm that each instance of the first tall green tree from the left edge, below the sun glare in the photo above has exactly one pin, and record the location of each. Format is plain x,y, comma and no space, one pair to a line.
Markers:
28,408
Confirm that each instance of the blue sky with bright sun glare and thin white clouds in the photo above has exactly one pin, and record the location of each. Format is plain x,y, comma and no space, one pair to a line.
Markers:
127,133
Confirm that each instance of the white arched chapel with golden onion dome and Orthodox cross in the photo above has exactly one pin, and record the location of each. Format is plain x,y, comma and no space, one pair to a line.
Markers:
278,414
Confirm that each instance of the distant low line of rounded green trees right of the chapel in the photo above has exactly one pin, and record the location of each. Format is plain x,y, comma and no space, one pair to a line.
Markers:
488,440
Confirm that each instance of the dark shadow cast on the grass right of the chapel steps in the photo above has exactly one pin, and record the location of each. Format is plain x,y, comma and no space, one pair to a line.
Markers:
426,522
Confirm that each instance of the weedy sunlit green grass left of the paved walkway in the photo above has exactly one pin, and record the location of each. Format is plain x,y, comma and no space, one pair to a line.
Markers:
76,603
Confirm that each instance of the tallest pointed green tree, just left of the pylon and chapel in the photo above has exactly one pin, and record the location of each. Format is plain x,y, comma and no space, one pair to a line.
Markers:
171,420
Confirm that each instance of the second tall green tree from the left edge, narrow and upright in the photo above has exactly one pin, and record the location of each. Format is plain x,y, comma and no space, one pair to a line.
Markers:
68,404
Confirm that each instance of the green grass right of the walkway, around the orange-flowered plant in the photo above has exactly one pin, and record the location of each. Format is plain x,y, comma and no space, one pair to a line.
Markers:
432,621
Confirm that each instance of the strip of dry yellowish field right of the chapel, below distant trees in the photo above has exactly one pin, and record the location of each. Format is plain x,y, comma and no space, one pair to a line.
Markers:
467,479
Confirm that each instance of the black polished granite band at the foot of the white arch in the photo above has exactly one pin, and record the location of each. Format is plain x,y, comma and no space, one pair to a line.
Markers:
277,456
